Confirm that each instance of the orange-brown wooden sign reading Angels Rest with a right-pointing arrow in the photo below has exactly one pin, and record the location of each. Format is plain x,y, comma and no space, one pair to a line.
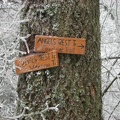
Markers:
61,44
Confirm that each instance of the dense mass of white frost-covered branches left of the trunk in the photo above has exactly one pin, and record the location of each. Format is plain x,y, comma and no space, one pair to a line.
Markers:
9,50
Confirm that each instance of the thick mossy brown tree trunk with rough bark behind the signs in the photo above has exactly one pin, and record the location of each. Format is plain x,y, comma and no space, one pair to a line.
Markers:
76,83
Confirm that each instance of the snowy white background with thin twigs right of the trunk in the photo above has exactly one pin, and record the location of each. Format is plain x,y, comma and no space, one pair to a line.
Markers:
110,47
